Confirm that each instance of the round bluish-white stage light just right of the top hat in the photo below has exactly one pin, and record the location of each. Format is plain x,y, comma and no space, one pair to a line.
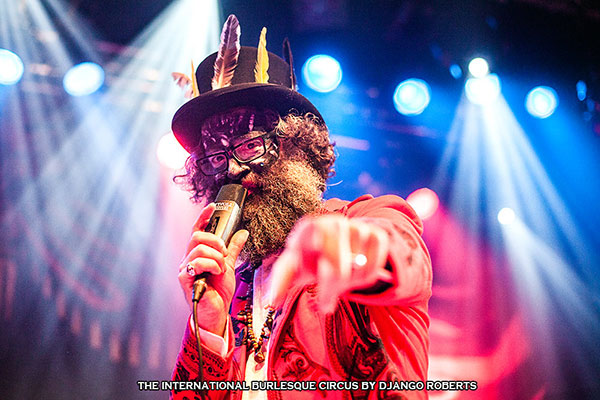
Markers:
322,73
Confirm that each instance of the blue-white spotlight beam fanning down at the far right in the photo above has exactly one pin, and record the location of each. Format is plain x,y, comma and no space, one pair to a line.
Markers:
489,164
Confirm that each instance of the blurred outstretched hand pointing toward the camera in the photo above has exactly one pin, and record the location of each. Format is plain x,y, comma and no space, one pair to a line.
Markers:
337,253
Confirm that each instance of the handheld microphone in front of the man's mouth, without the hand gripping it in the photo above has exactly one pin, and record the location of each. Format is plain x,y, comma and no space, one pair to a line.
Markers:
224,223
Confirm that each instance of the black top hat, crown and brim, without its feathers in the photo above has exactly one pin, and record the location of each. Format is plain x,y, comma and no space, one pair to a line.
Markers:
278,94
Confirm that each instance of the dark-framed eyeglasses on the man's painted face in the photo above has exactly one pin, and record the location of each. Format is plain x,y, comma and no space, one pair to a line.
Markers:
244,152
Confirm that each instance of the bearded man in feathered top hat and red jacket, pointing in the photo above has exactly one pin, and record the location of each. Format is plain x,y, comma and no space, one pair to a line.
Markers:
324,293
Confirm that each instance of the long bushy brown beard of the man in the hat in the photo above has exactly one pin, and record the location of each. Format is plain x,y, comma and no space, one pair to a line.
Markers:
286,192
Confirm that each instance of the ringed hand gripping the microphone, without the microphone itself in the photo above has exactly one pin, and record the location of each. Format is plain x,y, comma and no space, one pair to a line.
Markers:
206,252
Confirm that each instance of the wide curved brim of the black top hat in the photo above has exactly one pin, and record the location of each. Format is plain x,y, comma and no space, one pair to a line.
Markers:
188,120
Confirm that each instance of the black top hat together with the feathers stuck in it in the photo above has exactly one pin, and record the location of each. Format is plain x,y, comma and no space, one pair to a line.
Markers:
237,77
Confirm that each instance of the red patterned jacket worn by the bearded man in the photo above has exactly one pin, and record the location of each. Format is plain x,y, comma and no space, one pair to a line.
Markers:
379,334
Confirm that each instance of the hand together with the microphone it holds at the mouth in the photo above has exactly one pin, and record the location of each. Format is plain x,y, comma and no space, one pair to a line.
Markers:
208,256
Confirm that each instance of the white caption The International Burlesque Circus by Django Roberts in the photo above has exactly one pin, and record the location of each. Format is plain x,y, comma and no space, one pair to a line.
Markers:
308,385
